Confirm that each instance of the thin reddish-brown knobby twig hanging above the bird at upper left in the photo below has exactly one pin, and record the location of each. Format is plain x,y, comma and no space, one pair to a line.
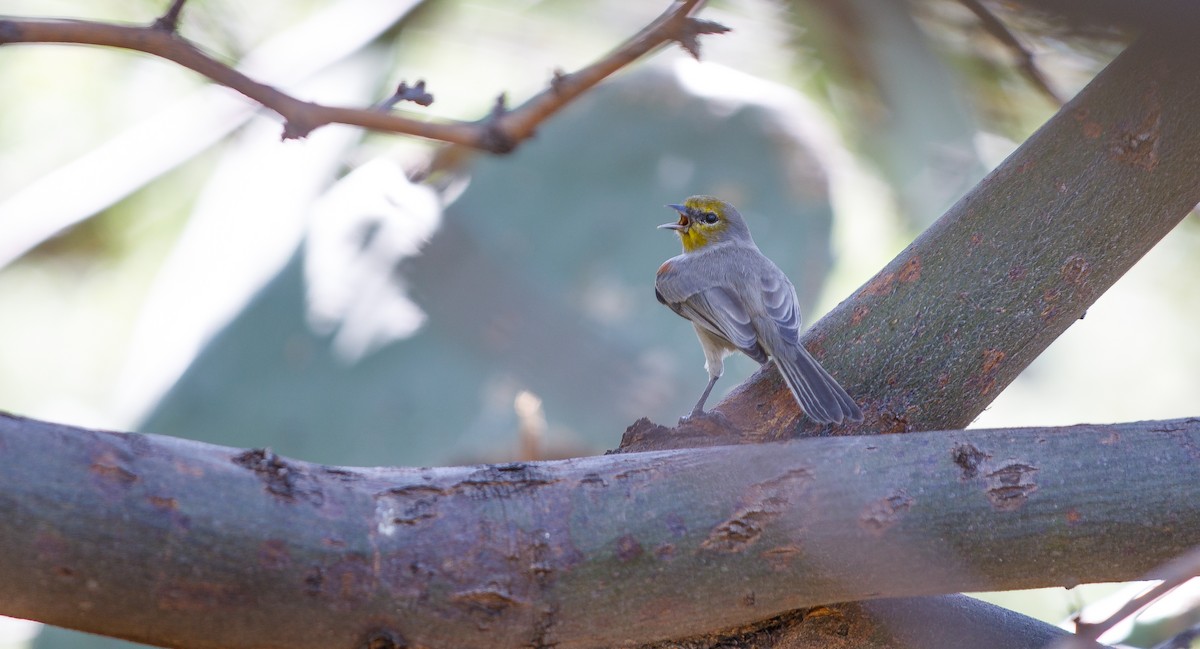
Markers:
497,134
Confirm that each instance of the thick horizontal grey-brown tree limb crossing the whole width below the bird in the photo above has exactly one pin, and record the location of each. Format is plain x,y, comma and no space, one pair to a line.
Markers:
584,552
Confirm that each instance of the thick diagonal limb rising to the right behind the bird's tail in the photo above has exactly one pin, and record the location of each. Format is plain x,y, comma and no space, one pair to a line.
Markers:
933,339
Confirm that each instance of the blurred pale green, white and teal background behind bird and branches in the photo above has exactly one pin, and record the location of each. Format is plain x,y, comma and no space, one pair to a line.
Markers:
171,267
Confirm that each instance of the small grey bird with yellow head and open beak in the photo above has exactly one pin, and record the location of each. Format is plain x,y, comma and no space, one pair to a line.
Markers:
739,301
